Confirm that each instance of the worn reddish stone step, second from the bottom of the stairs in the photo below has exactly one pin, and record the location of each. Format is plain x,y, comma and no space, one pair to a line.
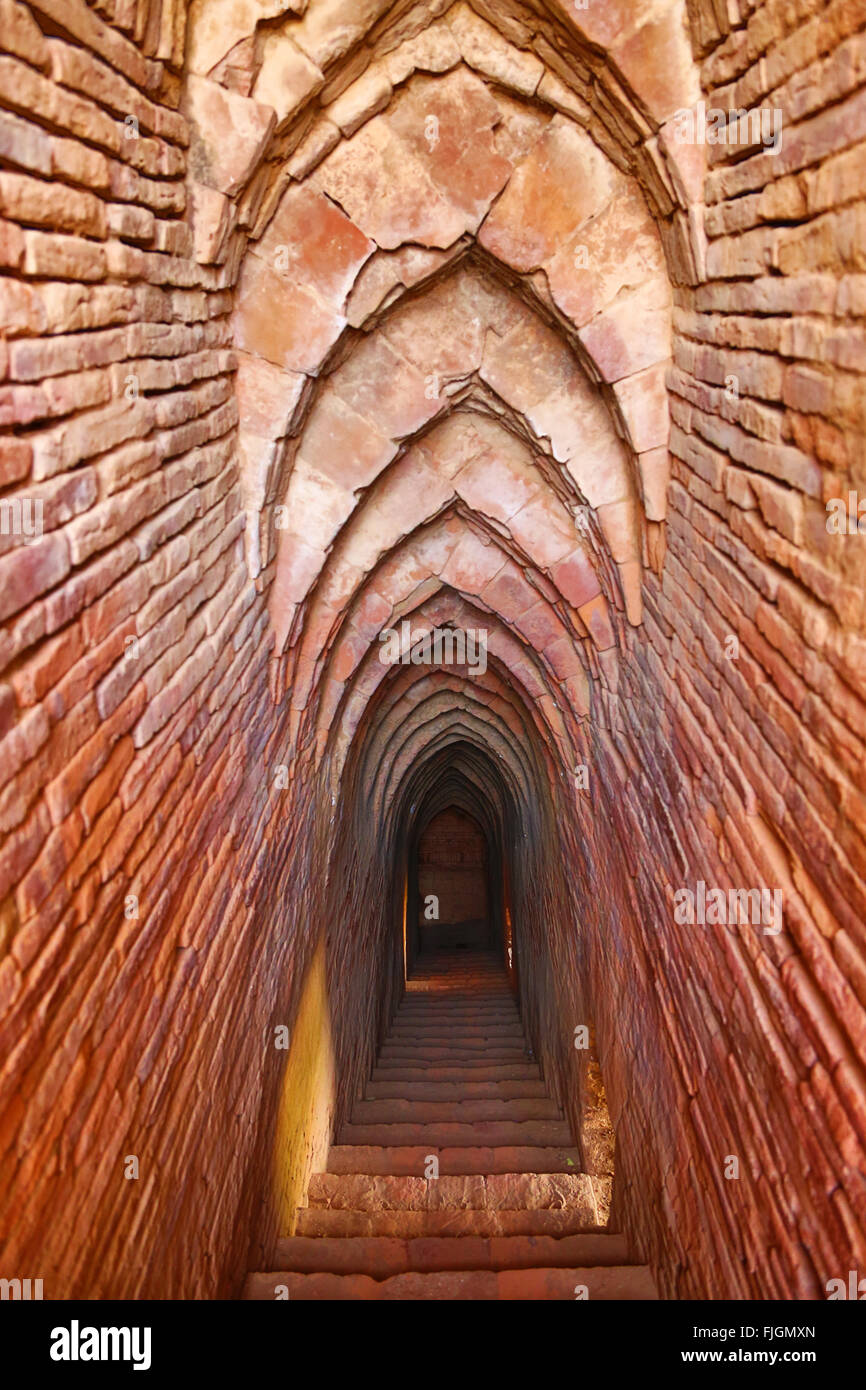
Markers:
382,1257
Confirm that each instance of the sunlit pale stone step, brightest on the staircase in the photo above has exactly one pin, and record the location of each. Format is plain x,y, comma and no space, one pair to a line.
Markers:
471,1191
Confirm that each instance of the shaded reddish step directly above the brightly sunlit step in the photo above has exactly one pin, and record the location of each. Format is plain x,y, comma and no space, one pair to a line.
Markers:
412,1160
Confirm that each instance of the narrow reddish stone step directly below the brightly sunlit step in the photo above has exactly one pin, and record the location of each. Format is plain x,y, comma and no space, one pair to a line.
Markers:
408,1225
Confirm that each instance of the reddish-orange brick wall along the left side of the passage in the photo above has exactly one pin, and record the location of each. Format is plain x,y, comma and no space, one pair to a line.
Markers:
137,723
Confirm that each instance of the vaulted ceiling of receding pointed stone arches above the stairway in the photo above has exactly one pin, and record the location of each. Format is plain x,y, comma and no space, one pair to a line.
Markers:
457,234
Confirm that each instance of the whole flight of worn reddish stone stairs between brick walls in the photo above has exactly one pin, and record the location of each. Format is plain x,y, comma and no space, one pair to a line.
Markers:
511,1216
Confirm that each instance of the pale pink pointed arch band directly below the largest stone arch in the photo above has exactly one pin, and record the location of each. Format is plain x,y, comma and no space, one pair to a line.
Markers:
546,383
